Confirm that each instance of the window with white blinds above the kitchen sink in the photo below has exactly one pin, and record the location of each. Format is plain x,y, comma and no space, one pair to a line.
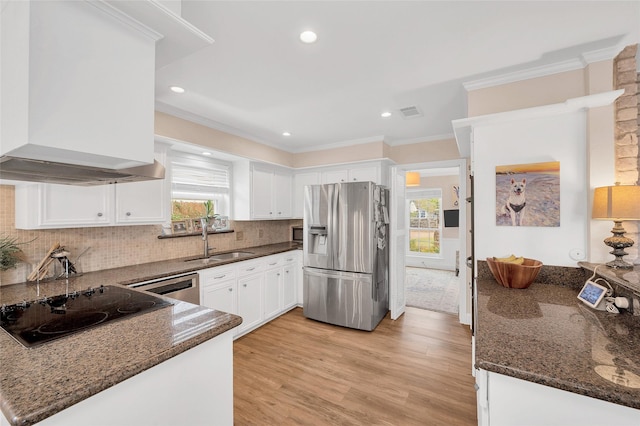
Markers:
199,187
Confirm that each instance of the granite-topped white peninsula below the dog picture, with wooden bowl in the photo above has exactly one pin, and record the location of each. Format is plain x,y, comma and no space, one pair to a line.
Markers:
544,357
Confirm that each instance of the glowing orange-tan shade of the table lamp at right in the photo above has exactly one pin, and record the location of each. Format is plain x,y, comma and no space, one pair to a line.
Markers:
620,202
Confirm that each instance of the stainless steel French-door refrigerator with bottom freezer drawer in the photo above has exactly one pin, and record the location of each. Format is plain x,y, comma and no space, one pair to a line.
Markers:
346,254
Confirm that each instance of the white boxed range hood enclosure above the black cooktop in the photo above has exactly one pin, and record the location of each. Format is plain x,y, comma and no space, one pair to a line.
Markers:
77,84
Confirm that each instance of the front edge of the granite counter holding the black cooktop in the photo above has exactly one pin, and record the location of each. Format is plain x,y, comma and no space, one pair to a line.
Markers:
132,370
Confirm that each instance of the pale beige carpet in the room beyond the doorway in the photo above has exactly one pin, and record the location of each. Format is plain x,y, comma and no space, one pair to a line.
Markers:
432,289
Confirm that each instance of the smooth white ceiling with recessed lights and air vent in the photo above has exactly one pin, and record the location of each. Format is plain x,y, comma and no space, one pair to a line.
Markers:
257,79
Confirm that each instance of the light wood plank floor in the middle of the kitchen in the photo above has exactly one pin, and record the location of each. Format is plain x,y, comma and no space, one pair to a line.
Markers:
413,371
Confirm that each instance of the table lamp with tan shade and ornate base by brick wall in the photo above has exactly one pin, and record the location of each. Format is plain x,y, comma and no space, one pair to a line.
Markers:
617,203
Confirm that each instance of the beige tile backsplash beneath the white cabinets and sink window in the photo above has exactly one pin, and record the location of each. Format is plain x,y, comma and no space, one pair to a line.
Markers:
111,247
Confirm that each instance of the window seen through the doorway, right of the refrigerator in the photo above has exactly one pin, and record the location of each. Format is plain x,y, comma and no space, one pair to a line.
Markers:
425,221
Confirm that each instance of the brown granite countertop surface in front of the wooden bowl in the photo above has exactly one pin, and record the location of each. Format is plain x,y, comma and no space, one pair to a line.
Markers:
544,334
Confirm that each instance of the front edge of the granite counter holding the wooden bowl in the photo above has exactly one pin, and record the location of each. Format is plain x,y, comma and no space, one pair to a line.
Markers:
551,382
